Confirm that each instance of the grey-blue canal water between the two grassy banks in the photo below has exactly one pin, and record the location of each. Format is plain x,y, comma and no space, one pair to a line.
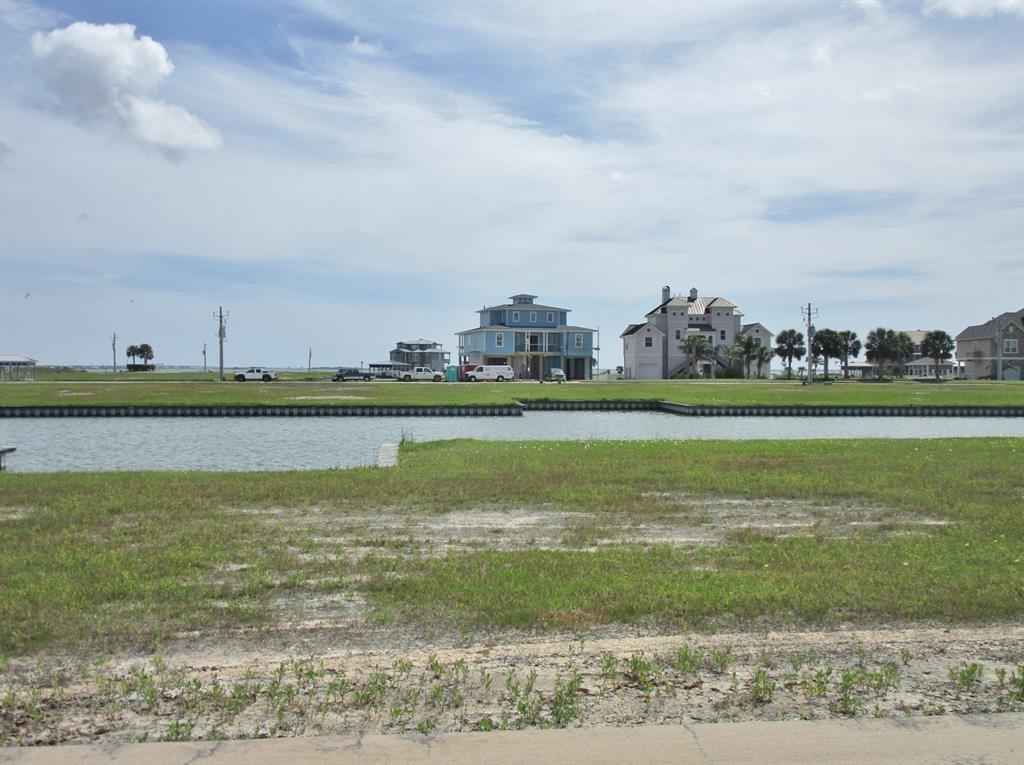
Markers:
305,444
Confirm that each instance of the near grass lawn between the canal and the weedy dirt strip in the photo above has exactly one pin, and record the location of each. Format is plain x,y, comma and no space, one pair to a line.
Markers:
127,560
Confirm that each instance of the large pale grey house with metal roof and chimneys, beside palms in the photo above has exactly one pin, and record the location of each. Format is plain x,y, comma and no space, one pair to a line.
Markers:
653,351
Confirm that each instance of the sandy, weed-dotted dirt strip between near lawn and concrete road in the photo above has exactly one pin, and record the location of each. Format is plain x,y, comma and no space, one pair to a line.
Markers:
266,686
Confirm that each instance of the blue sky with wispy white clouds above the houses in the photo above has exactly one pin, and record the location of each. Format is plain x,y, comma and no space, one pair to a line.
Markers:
342,176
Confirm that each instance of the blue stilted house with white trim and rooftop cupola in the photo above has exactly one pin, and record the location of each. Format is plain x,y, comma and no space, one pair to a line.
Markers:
531,338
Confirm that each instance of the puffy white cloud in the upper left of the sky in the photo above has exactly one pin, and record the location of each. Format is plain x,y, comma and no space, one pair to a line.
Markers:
105,73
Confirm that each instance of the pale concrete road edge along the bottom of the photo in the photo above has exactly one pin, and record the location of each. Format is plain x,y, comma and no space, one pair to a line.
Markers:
992,740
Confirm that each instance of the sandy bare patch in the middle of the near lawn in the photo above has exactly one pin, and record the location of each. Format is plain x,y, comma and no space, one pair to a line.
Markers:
677,520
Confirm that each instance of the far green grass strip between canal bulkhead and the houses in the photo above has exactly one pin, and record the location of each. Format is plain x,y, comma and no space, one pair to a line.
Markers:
161,390
